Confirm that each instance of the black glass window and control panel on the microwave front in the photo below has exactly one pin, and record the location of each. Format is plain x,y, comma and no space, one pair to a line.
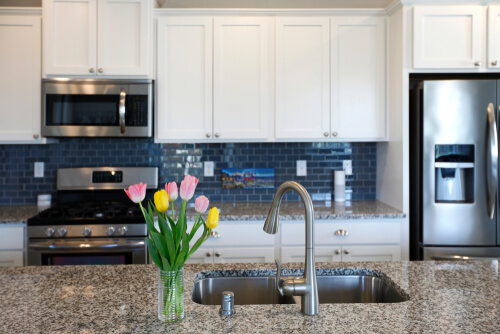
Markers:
94,110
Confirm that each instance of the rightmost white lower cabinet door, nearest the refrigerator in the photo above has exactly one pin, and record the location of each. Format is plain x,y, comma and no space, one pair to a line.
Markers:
371,253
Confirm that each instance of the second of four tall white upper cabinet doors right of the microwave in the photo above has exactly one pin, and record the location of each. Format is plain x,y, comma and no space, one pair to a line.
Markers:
242,67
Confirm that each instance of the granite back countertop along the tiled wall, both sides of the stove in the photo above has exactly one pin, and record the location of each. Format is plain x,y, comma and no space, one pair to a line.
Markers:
252,211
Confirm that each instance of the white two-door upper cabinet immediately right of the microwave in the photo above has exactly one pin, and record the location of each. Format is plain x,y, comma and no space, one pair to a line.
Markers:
213,78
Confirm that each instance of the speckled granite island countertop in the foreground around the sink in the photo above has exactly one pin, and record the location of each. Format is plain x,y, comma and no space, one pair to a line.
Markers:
445,297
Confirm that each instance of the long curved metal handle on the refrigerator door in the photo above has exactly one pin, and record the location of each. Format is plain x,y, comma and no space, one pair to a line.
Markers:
493,153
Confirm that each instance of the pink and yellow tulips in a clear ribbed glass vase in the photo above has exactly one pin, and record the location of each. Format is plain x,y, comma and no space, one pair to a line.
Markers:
169,247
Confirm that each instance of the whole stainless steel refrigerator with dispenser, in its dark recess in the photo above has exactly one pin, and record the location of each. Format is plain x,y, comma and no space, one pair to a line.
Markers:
454,167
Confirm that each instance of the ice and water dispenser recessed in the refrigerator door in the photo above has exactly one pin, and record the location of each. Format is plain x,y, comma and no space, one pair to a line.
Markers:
454,173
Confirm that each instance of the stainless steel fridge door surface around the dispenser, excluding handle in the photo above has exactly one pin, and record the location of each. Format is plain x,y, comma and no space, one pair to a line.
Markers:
455,112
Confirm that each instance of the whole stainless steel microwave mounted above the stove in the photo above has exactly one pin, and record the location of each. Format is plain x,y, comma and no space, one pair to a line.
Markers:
97,108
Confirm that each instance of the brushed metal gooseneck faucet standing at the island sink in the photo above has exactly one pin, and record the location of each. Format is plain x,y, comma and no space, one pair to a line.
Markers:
307,286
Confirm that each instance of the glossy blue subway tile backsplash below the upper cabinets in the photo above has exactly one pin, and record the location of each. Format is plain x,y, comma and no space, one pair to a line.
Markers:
19,186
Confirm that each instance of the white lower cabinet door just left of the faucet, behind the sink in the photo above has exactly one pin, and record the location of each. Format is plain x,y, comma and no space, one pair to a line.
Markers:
244,255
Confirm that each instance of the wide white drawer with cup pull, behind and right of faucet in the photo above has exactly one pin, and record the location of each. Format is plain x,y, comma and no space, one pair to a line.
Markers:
364,232
